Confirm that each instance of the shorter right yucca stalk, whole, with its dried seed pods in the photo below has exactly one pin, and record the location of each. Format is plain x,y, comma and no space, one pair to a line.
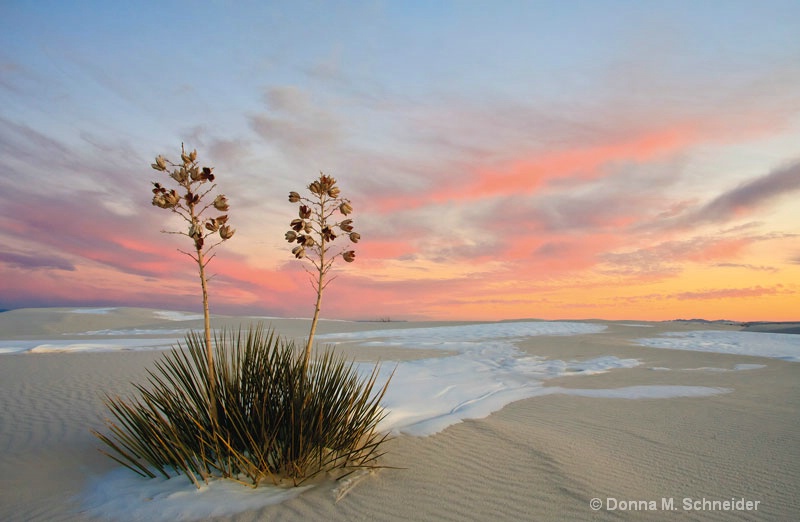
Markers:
317,226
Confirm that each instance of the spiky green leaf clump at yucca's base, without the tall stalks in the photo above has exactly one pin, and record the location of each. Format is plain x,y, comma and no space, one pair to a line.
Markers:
275,417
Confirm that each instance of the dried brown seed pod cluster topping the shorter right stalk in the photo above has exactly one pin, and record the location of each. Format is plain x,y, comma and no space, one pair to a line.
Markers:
311,230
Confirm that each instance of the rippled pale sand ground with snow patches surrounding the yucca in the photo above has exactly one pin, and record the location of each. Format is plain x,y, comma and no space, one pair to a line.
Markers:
670,423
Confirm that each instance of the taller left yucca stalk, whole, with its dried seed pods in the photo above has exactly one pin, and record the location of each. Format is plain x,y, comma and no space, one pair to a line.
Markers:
192,202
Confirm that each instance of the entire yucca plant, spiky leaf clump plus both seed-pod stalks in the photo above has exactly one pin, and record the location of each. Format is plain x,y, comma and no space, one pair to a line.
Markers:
247,406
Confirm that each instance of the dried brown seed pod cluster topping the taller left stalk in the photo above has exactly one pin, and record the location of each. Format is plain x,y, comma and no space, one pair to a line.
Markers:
191,178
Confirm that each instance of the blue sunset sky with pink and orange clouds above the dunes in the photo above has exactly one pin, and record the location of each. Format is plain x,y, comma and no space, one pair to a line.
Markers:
532,159
